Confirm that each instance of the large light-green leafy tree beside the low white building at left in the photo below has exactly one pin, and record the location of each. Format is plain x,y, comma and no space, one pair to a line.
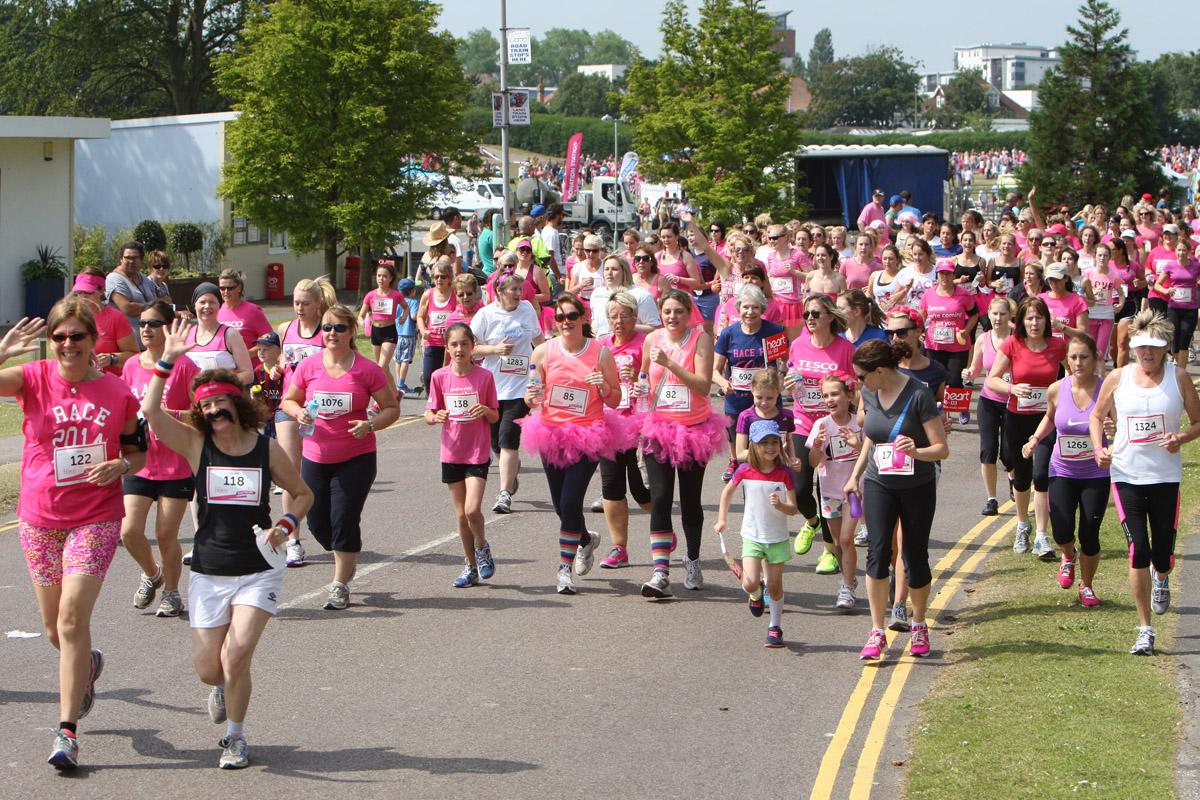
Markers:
332,109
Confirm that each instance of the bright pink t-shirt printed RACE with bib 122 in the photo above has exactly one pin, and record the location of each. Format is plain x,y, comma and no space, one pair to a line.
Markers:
70,429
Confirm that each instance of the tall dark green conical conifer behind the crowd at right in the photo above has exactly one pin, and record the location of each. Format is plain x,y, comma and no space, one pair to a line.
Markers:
1090,140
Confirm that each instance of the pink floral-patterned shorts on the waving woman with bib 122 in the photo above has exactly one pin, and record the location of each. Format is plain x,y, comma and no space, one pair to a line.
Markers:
55,552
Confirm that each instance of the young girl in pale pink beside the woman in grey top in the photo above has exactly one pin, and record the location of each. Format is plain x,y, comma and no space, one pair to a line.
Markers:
833,448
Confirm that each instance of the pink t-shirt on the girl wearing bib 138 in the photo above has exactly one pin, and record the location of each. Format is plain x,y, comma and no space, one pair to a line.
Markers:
464,441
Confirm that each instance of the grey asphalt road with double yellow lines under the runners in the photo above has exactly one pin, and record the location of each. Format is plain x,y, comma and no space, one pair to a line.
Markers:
505,690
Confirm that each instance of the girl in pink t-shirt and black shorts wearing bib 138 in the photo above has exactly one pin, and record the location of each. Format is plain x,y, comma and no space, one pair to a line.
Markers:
463,400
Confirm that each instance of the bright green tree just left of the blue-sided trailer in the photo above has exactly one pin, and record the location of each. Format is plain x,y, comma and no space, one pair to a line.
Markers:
711,113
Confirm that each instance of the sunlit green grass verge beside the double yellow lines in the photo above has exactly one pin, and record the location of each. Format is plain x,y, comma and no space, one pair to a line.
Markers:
1042,699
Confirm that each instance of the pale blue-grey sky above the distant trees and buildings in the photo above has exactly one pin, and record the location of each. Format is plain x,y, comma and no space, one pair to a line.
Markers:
929,40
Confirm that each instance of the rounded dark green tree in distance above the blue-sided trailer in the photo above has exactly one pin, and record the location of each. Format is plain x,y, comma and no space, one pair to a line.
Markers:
878,89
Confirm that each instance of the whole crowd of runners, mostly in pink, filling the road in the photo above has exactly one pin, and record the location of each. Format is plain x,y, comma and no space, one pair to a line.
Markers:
823,371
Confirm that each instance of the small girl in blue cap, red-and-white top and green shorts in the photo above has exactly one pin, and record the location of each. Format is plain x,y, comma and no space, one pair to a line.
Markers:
770,500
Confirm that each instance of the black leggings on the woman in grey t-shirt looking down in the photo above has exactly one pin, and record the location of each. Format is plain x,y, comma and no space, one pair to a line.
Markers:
915,508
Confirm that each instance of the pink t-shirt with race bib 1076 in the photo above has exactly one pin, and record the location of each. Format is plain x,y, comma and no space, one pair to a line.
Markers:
343,401
